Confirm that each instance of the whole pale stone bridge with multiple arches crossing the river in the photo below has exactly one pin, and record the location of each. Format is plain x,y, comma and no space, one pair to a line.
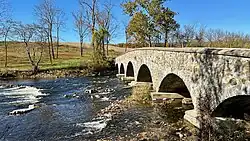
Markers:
216,77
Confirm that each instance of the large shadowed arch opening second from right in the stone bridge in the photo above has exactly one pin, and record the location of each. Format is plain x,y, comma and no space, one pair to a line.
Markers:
174,84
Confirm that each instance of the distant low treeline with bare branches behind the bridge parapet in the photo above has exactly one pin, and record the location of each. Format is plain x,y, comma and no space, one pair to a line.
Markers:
199,36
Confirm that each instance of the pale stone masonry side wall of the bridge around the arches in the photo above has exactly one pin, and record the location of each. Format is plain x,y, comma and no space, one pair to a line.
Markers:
209,73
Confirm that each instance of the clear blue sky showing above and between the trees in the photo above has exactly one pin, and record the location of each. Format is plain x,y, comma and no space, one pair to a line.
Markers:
229,15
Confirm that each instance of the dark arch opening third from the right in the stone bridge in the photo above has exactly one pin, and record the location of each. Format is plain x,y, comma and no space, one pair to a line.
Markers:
144,74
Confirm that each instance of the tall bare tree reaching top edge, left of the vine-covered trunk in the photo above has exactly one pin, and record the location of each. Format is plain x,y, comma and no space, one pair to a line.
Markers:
90,7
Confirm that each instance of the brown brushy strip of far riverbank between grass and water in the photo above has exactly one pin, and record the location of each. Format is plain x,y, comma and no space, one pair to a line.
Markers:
89,68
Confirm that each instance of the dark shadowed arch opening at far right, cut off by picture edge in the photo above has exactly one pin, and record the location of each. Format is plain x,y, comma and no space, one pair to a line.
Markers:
237,107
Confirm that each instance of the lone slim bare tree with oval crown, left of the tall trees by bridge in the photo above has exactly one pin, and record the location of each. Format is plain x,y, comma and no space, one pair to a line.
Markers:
80,27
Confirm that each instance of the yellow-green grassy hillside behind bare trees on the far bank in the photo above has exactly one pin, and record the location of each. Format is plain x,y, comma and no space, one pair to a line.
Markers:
69,56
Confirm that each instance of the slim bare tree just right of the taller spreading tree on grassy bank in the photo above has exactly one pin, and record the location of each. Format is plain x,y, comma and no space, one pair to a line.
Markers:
60,22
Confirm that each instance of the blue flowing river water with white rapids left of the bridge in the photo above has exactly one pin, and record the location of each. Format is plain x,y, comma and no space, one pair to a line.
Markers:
65,108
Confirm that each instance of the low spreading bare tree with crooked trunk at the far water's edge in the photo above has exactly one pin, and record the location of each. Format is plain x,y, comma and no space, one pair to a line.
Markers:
37,34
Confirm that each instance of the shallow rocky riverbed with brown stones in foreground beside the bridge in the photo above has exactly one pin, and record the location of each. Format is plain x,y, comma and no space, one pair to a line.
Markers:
130,120
